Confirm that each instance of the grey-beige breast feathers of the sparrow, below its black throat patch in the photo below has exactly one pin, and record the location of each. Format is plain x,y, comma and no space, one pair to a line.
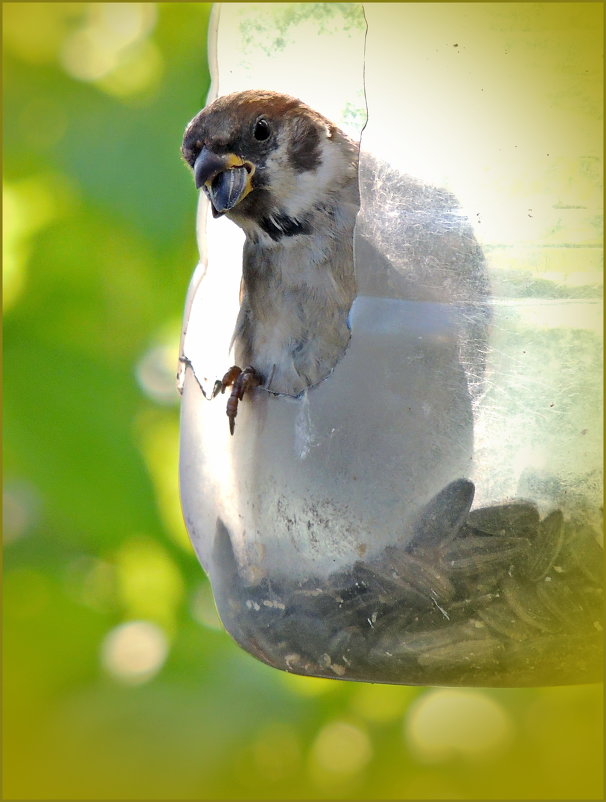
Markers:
293,320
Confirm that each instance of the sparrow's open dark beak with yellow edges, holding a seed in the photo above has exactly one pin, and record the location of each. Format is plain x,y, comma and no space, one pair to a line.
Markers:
225,178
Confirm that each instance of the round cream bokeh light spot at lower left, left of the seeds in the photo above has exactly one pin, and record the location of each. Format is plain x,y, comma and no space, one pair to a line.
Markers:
134,652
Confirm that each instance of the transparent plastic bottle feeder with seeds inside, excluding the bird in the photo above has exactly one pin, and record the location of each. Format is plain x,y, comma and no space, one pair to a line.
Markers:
429,513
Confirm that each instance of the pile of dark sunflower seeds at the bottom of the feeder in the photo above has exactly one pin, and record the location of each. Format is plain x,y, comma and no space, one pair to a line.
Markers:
493,596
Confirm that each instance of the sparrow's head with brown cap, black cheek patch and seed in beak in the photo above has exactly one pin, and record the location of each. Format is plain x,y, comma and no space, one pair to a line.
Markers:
266,159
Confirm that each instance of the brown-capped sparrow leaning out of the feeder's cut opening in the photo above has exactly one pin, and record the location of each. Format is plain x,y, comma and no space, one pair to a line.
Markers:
288,177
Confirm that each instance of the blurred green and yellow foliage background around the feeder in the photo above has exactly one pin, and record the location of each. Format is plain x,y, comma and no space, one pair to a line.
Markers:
118,680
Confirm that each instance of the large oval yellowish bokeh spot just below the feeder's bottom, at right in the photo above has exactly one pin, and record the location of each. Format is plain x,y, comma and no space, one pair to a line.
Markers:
453,722
